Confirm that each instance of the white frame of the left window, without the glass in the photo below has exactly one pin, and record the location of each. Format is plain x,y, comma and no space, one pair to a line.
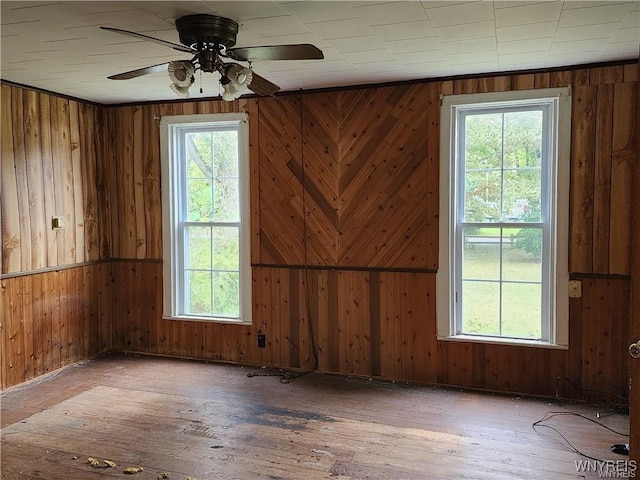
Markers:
172,234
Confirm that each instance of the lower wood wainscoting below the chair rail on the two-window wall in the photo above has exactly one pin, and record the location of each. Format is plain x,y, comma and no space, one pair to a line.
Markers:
378,324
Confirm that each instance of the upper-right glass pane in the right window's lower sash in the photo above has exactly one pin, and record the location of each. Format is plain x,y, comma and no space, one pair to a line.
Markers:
522,256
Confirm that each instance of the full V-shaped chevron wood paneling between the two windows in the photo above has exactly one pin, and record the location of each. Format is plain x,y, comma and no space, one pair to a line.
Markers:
362,172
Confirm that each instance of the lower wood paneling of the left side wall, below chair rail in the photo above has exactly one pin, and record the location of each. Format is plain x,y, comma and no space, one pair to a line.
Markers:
52,319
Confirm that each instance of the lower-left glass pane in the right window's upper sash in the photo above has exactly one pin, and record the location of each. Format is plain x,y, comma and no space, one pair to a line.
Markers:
482,195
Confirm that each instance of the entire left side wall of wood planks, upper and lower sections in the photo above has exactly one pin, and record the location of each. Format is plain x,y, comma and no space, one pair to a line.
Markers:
55,292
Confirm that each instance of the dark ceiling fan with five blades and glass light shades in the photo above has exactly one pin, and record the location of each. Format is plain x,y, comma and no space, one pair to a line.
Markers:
210,39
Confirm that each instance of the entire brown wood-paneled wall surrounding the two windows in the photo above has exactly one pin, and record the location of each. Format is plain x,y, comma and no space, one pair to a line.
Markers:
347,182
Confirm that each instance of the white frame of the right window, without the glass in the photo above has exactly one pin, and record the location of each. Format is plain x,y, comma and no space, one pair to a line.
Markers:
559,99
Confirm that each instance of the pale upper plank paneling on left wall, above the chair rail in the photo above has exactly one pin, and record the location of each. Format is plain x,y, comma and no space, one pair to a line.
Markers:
51,167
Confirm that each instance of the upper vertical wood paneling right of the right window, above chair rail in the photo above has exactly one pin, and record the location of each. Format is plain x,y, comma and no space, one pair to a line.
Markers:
604,148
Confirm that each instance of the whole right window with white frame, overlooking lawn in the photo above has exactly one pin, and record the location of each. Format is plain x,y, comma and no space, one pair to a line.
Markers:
503,273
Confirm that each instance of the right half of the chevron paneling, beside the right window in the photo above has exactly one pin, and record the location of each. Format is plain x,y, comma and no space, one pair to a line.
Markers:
384,178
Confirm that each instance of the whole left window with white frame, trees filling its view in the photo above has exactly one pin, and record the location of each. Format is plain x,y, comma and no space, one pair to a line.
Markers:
205,203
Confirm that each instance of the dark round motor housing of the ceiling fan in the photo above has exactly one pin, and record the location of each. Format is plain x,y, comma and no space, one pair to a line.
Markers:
200,30
